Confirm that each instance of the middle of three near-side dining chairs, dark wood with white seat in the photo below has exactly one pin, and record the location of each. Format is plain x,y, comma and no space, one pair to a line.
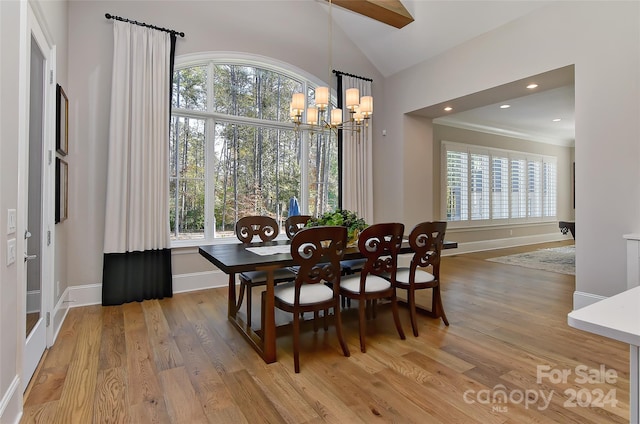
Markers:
379,244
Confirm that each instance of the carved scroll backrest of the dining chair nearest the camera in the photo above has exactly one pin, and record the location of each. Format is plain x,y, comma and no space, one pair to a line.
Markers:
318,252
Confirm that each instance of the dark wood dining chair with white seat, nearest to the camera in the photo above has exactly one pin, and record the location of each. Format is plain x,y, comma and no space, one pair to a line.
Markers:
318,252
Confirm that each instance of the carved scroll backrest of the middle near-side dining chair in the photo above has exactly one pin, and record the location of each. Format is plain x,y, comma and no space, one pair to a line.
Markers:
380,244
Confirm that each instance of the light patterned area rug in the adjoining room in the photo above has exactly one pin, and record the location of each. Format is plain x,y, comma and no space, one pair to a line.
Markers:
556,259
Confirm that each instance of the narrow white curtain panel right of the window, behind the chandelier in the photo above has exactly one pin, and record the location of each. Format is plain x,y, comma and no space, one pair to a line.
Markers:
357,171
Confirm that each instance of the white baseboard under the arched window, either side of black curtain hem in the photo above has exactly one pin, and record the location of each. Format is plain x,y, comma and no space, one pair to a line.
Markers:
91,294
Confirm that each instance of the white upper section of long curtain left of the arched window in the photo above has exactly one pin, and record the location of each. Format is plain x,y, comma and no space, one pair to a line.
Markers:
137,210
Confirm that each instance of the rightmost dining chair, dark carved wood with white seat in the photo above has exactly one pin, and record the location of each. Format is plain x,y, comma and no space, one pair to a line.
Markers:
426,241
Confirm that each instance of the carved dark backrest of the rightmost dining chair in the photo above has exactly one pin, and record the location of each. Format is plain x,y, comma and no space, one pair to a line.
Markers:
426,241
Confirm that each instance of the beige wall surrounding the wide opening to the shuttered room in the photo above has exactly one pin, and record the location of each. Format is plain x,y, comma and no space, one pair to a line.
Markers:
602,40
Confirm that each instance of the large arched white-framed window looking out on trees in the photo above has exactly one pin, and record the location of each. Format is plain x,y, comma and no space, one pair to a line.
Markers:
234,150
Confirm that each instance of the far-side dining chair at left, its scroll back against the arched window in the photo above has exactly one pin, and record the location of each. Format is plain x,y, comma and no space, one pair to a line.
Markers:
263,229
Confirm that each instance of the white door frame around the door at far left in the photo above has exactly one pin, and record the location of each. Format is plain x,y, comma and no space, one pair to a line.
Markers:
32,19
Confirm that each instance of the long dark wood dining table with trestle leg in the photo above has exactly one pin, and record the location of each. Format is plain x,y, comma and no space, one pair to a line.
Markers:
234,258
